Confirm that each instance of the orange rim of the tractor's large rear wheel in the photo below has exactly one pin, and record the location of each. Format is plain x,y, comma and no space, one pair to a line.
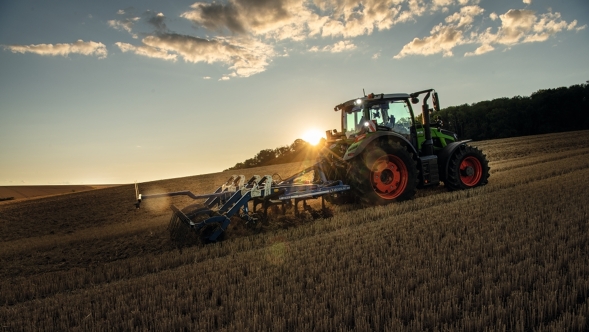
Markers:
389,176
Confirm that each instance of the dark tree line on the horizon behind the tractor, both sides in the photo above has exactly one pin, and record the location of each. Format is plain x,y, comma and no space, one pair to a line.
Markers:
545,111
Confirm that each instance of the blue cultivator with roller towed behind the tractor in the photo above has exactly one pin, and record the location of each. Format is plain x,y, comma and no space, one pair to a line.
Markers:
210,219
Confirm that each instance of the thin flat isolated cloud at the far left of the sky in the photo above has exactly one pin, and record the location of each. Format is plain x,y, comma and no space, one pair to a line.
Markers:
89,48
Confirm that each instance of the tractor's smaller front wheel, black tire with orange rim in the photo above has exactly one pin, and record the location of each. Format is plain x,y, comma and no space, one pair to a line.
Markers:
468,168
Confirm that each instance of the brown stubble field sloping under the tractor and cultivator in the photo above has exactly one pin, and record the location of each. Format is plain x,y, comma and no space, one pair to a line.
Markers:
509,256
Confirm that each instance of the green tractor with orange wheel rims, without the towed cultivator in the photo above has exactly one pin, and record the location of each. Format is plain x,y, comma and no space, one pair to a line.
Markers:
385,154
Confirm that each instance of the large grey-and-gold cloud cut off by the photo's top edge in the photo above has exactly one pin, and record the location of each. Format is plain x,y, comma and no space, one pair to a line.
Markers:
297,20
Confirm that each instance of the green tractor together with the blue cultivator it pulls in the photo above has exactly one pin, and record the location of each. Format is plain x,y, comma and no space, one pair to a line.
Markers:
381,154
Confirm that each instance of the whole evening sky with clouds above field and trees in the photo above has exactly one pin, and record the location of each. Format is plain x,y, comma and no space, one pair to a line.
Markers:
108,92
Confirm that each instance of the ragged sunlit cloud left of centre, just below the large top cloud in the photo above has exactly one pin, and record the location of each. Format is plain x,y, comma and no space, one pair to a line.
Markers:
244,57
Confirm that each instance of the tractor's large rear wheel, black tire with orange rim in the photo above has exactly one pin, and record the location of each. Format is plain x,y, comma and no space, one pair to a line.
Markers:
385,172
